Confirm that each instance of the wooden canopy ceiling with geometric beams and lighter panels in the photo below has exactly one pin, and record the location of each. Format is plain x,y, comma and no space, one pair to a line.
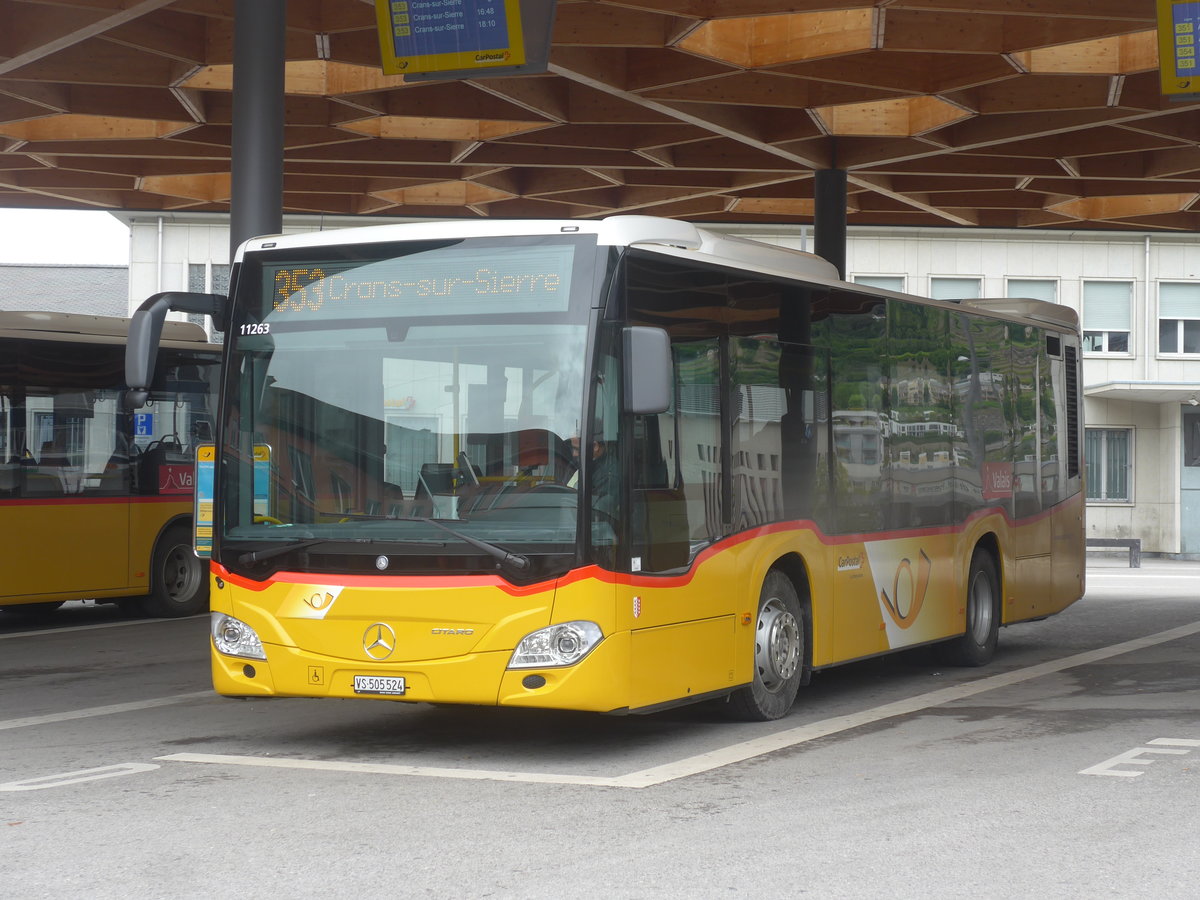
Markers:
993,113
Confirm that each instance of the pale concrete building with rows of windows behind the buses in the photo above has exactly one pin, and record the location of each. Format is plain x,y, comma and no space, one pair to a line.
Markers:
1138,295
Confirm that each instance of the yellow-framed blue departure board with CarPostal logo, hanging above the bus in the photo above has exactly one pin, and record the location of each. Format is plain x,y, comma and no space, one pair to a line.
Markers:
442,35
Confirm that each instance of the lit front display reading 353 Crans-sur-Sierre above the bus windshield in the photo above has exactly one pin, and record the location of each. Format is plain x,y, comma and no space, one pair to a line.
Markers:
436,283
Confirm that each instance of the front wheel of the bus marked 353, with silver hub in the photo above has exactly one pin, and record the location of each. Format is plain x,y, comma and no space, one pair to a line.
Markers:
778,655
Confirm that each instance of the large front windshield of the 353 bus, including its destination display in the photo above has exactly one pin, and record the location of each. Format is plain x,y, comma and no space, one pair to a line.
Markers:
381,389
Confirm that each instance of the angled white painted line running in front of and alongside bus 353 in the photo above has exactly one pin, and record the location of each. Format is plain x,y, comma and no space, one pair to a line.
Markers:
724,757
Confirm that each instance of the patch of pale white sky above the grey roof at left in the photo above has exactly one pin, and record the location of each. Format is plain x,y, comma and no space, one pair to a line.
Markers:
64,237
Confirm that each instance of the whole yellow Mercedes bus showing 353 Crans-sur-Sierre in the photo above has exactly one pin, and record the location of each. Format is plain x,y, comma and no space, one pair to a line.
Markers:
621,465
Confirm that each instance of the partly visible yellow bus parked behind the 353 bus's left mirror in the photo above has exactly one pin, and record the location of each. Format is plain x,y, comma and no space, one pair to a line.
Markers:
95,500
